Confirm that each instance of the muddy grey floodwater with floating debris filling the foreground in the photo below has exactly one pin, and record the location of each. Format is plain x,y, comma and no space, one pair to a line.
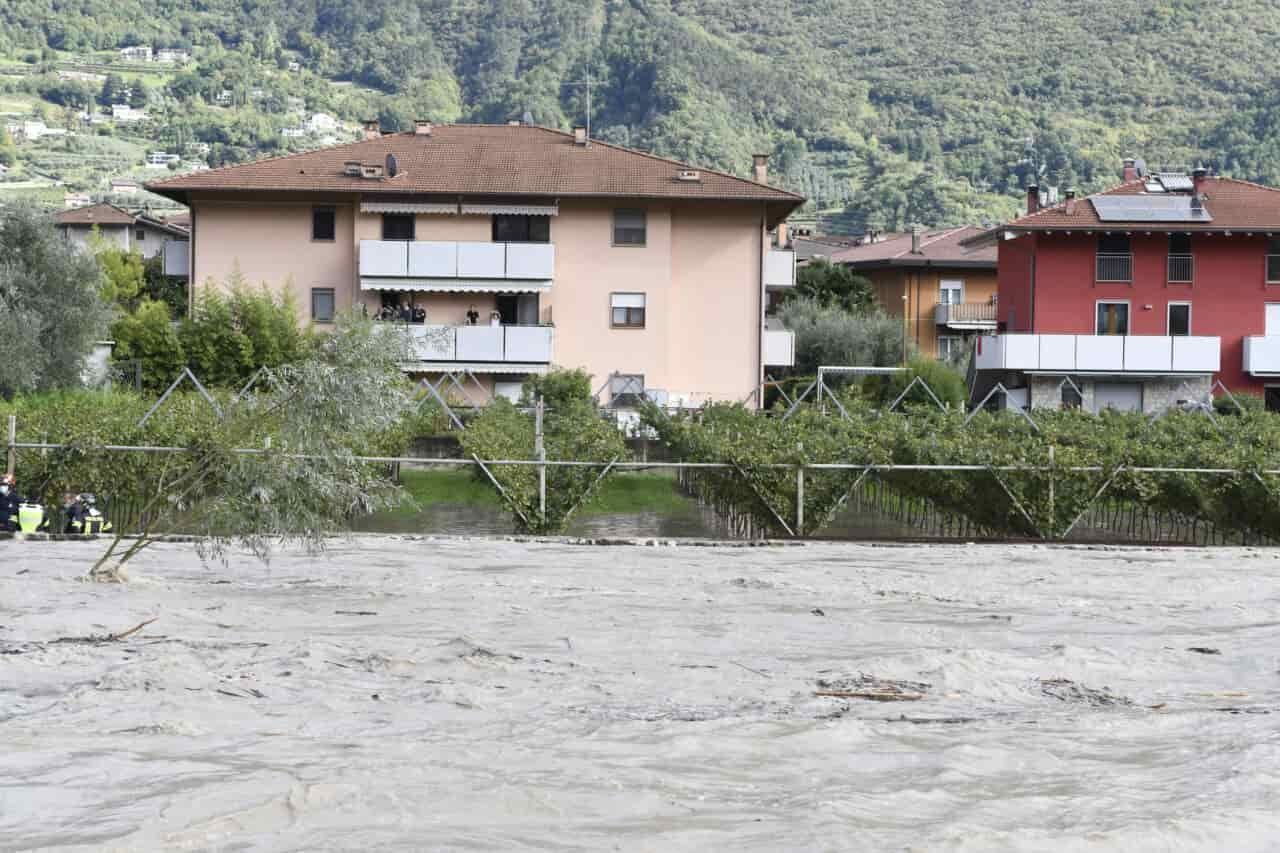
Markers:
418,695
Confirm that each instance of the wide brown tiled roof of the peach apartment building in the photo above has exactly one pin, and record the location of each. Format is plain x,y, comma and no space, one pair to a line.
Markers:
481,159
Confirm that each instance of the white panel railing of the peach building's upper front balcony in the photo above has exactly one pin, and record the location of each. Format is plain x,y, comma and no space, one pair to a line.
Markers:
441,259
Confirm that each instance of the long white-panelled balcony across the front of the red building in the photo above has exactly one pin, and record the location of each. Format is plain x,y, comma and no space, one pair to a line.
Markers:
1100,354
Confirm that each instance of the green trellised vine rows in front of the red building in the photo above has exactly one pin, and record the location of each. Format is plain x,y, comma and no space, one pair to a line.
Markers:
1041,500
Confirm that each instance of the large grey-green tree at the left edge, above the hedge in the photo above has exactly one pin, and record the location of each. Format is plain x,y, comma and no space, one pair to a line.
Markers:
52,308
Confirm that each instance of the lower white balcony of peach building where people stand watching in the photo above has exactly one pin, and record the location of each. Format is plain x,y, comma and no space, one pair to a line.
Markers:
481,346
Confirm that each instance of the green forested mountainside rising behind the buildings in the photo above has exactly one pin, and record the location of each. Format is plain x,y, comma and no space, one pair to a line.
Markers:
917,111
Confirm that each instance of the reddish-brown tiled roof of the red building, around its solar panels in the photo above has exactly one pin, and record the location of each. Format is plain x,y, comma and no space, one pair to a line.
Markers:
1235,206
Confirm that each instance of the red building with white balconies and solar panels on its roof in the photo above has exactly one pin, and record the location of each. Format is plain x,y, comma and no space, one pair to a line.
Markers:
1142,295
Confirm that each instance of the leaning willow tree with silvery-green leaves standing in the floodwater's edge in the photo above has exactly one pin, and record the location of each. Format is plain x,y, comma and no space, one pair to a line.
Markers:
281,467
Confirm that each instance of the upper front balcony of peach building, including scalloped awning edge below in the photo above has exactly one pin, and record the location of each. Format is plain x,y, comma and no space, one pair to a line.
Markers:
455,266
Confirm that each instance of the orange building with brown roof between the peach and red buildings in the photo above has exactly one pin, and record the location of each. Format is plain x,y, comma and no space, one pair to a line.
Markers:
943,290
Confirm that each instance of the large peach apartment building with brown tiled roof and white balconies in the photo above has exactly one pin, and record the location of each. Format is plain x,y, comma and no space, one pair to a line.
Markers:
527,248
